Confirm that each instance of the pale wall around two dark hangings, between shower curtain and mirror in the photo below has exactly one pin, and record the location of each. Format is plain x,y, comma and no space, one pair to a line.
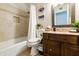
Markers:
47,15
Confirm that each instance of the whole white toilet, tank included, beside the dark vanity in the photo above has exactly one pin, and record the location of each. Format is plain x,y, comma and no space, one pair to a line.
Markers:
35,42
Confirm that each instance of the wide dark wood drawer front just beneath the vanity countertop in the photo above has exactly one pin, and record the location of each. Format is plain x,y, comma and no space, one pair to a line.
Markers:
63,38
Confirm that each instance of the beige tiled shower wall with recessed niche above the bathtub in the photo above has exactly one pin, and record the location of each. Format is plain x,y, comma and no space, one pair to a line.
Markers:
12,27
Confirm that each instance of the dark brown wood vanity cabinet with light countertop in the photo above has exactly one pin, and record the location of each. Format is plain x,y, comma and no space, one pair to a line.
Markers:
60,44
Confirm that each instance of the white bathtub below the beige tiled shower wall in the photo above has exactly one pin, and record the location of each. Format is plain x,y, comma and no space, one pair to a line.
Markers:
8,48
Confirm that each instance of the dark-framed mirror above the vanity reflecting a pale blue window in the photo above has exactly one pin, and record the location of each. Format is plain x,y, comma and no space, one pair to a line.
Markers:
63,15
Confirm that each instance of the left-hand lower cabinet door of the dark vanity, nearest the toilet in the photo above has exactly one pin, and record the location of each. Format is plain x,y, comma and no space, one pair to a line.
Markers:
52,48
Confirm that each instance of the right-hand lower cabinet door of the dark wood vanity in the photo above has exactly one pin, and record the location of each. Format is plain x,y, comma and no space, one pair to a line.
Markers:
70,50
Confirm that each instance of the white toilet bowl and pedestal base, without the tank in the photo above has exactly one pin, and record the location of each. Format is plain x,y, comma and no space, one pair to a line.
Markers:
33,43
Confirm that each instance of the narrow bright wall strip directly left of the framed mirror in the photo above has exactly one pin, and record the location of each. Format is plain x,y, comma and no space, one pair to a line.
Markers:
48,15
